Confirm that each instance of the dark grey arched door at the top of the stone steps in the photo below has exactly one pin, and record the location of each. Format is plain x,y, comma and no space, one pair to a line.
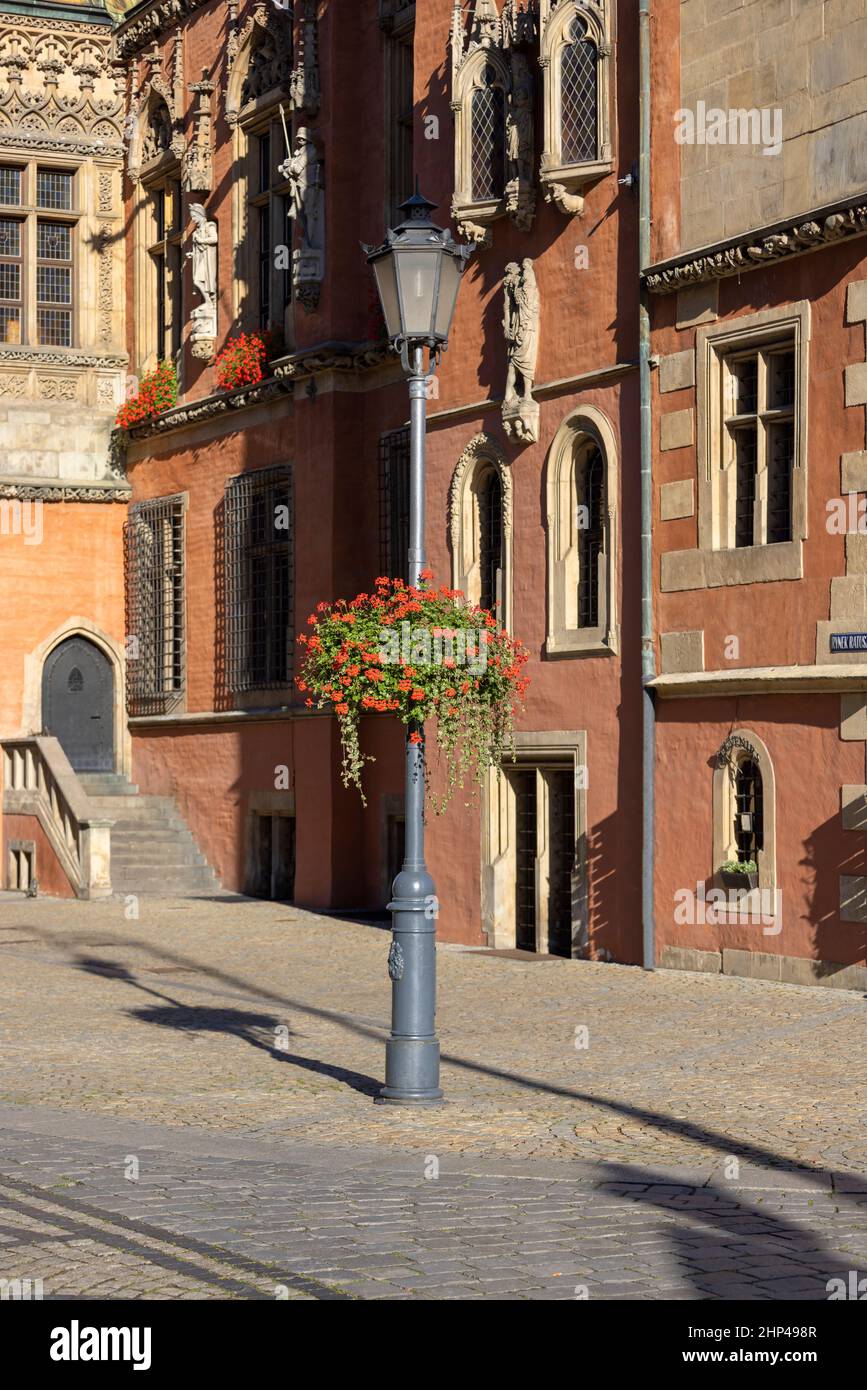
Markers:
79,704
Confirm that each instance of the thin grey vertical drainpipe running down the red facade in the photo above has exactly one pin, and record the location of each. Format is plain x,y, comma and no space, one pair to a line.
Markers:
647,494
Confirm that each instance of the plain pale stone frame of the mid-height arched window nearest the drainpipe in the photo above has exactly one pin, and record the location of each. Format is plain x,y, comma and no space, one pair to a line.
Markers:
565,637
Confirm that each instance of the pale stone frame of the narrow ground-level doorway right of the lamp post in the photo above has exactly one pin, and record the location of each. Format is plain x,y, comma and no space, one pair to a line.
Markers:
548,750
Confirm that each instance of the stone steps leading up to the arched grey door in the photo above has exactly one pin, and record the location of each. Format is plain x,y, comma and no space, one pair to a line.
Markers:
152,849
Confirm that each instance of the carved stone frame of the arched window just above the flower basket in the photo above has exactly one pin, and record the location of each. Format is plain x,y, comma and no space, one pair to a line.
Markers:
481,457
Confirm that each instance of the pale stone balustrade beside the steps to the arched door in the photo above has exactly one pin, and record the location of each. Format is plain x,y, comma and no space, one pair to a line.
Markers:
40,782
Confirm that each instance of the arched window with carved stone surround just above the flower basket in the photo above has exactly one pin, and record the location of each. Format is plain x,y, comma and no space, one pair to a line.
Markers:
480,508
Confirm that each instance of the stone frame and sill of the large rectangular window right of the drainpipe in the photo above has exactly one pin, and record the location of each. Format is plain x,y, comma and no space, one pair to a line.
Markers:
712,566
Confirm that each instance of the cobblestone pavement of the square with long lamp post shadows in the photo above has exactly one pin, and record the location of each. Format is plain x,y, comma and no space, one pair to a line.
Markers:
707,1143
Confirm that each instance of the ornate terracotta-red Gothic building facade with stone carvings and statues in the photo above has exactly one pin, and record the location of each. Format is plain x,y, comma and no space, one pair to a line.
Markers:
261,145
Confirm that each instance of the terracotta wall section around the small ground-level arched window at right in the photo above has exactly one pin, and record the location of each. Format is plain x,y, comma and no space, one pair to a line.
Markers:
811,765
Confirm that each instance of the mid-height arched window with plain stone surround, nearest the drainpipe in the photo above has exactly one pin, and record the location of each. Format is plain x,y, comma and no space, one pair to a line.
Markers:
581,487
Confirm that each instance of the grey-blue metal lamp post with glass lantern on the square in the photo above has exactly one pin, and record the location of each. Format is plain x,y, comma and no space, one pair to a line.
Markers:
418,270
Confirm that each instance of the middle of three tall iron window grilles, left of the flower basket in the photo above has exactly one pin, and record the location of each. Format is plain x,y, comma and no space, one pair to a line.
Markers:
259,580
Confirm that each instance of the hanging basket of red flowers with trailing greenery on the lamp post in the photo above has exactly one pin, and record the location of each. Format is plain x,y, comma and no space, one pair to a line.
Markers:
420,654
